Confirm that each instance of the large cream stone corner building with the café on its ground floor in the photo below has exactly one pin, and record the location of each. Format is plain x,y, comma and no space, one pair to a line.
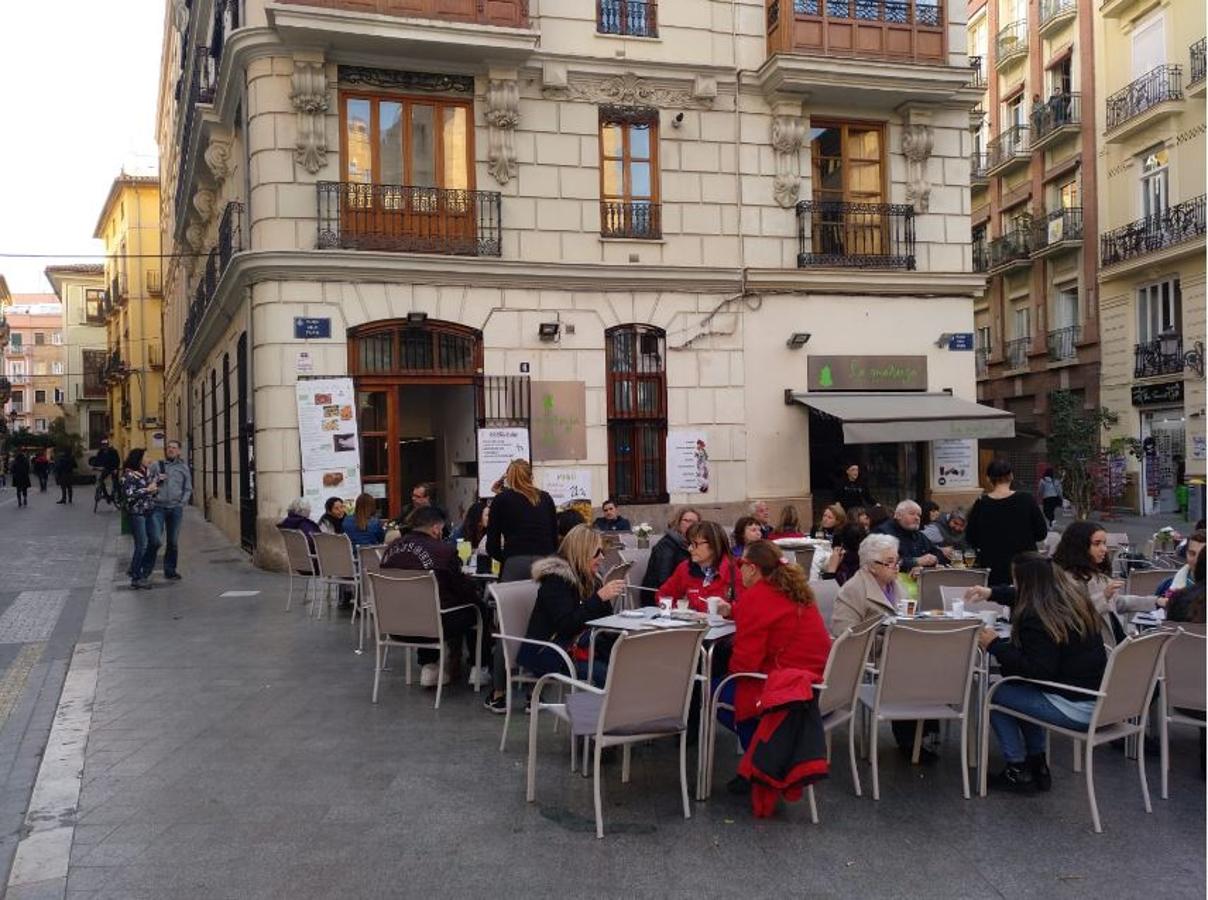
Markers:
735,227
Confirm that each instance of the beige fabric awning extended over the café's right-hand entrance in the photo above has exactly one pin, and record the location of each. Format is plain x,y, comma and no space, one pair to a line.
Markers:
893,419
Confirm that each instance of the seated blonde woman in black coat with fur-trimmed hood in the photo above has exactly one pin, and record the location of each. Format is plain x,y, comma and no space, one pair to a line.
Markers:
571,595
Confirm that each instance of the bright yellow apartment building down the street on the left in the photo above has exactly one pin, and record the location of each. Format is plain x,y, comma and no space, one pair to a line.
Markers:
133,373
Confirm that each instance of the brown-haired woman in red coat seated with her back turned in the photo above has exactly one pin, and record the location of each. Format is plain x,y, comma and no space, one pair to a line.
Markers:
779,628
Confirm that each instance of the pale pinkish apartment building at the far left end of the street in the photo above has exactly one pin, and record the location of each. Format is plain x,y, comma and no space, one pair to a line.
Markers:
34,362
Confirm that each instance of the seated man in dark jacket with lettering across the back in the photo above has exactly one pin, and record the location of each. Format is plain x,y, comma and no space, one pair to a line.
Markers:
423,550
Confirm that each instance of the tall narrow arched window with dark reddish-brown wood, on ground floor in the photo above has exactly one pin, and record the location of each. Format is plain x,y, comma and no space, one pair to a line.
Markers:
636,358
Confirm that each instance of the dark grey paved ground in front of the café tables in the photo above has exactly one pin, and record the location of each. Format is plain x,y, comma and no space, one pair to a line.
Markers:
235,753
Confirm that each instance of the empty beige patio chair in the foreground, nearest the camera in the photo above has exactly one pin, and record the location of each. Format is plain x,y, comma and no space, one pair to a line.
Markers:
646,696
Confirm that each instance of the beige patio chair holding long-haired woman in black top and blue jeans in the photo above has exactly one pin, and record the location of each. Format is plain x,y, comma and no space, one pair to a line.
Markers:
1122,709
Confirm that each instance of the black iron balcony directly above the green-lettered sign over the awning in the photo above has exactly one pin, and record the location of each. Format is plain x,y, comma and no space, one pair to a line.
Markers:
833,234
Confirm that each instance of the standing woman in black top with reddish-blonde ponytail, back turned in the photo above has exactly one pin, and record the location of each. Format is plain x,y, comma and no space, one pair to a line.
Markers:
524,525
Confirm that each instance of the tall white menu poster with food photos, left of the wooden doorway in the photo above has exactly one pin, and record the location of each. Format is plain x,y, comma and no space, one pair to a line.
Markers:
332,452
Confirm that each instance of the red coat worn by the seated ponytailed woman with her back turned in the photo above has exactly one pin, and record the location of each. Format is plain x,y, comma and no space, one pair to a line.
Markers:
774,632
